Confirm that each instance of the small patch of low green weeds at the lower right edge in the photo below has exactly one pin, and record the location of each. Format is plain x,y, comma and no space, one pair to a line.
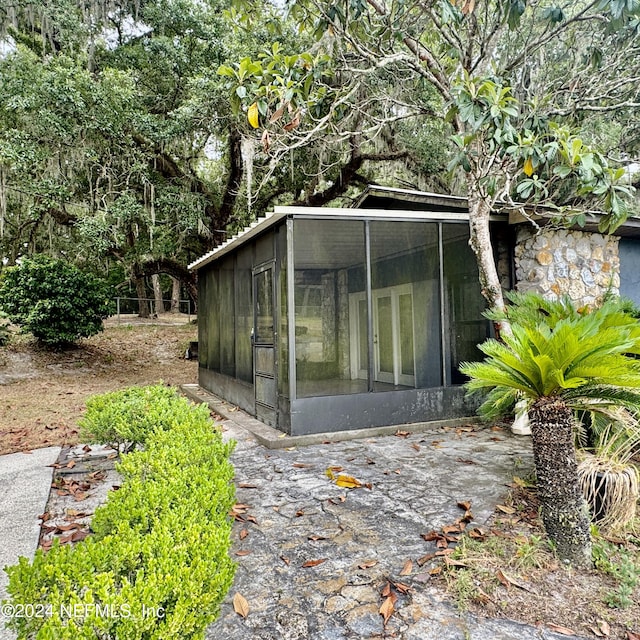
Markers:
620,564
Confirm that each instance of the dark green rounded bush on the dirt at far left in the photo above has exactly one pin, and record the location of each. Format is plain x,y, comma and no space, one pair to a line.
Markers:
54,300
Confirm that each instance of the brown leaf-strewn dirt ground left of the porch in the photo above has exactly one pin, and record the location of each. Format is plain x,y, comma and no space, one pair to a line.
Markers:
43,393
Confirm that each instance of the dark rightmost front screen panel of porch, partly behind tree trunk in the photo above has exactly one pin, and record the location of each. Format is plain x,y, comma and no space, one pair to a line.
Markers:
464,303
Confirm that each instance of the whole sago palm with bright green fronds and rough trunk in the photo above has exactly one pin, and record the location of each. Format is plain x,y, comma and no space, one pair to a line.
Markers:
560,359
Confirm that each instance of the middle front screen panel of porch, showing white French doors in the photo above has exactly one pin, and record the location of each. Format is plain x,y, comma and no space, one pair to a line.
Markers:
406,305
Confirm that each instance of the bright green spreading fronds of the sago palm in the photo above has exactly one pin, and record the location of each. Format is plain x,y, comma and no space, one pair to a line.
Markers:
557,350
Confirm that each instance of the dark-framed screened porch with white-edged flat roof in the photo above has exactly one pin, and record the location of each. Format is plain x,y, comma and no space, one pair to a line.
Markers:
318,319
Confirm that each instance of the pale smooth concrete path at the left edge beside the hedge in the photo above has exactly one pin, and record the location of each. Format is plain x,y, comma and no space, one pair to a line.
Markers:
25,482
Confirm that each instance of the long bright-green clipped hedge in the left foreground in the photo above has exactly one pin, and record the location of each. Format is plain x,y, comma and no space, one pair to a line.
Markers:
158,565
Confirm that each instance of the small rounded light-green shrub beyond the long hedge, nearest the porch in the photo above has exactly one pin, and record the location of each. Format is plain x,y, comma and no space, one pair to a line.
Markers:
132,415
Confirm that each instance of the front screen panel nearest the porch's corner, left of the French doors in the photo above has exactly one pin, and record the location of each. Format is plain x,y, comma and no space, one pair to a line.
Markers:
329,259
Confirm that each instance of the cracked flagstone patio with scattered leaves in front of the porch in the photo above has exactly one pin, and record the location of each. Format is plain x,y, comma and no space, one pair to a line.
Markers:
313,557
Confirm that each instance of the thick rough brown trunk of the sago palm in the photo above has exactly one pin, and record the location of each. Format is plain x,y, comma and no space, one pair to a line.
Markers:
564,511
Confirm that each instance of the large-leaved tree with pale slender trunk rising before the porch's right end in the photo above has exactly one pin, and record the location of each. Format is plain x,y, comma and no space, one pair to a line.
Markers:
540,99
